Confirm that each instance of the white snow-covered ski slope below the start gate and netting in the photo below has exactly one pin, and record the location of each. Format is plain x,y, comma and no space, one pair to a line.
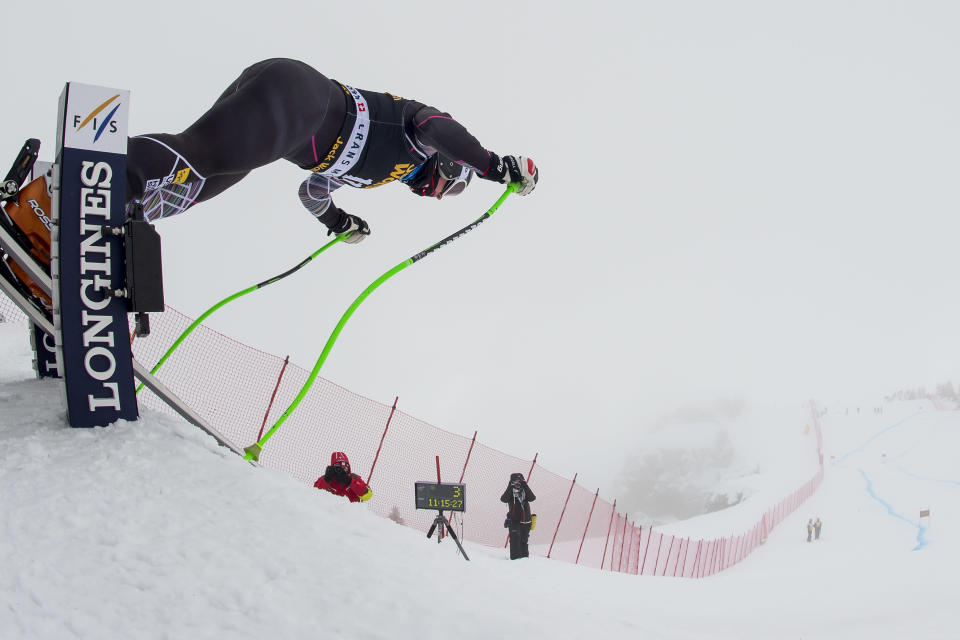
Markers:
149,530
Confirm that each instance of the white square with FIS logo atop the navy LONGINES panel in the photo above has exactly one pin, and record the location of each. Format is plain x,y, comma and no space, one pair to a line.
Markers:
95,119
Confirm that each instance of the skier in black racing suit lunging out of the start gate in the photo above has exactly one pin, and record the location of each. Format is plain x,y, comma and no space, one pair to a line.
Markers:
283,108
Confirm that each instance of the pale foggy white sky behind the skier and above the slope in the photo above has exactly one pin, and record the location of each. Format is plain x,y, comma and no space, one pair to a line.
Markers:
736,199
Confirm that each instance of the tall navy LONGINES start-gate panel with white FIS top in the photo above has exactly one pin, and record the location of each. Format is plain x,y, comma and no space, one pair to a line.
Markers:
93,340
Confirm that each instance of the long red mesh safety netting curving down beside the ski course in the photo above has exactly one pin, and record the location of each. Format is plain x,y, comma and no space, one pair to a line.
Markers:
231,386
